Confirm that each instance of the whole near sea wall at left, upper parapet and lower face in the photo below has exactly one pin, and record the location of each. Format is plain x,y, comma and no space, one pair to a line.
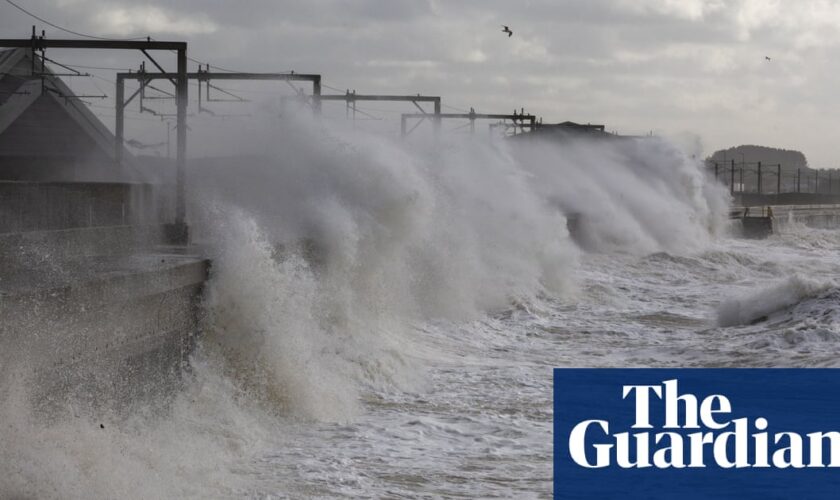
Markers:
96,307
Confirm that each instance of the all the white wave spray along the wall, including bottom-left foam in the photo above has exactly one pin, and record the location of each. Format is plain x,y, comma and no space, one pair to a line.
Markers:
332,251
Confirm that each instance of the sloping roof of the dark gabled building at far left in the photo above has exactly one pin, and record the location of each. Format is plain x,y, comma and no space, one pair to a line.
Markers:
20,89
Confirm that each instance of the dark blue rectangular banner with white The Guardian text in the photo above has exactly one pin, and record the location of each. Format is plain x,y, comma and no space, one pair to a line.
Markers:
696,433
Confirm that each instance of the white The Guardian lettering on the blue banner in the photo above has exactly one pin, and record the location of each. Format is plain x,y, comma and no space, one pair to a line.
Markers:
695,429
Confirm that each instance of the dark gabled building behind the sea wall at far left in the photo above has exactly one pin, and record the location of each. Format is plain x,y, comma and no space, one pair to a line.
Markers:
48,134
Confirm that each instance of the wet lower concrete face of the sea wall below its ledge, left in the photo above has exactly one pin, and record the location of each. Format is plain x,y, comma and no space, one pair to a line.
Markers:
106,331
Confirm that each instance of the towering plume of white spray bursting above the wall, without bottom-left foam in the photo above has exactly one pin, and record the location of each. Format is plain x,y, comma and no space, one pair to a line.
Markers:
329,250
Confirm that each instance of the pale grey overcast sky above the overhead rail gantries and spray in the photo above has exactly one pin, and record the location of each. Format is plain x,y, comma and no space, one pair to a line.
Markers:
681,68
